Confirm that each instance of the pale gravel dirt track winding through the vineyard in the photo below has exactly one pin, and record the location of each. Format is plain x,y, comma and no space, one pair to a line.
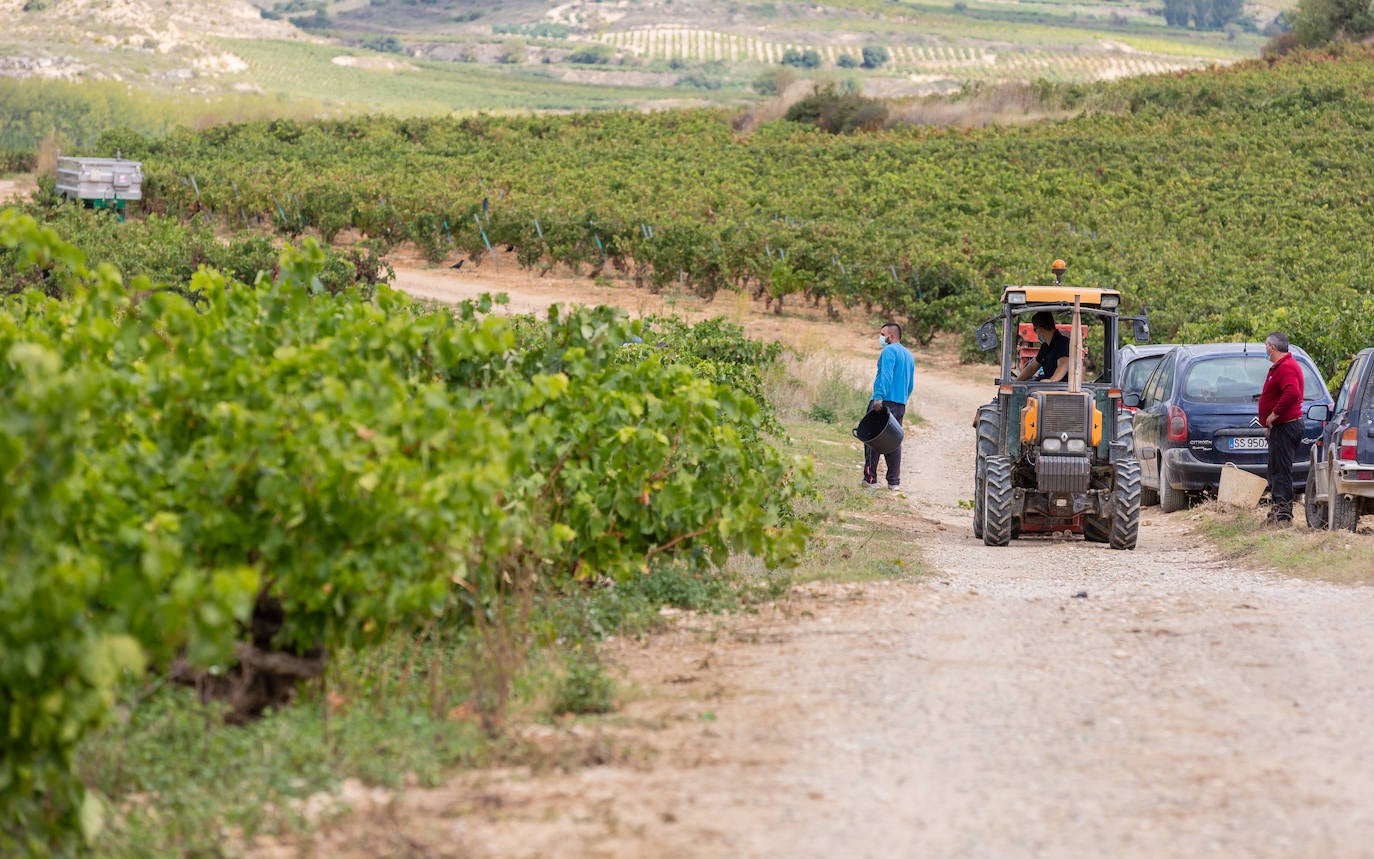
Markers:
1049,699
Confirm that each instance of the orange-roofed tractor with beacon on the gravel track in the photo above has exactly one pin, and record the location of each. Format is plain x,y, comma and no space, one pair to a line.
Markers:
1057,457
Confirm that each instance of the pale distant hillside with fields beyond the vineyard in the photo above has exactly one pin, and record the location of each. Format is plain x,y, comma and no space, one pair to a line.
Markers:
442,56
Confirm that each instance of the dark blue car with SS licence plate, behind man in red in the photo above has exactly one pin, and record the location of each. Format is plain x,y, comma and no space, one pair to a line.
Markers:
1199,412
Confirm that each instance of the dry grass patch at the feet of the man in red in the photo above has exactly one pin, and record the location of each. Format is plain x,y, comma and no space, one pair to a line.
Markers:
1339,557
